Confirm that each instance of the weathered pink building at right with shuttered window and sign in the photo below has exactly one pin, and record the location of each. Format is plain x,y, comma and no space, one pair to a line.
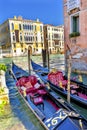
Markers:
75,33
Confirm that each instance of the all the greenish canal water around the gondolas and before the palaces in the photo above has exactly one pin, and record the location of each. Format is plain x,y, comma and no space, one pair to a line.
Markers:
25,119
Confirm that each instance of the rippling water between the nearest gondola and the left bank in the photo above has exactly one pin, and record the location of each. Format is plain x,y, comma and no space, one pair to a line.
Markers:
20,116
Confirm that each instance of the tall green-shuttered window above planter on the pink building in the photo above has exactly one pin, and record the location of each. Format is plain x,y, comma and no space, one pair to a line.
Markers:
75,23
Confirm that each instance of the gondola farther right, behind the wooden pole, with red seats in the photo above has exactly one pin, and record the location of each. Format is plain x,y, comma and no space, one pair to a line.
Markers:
78,90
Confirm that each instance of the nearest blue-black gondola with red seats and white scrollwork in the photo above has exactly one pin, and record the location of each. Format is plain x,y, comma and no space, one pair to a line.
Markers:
51,110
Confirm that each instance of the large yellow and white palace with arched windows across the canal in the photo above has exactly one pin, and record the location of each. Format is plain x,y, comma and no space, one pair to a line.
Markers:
17,34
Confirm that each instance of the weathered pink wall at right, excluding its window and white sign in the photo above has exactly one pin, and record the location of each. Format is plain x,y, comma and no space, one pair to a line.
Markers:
78,45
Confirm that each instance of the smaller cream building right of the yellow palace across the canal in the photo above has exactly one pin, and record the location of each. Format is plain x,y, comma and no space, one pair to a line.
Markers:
54,38
